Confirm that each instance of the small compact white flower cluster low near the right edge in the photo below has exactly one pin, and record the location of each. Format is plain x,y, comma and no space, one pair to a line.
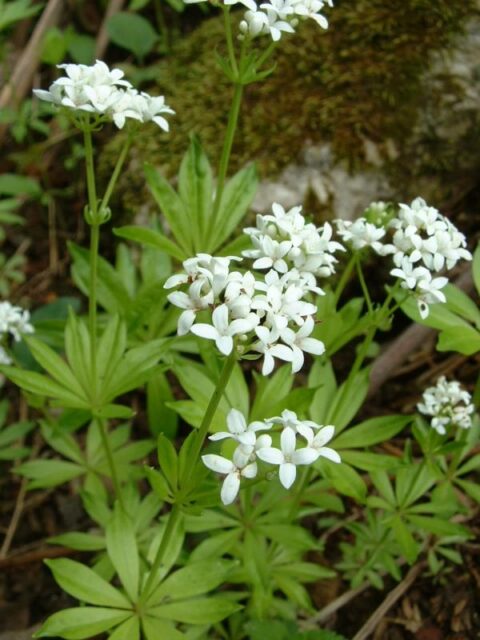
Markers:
448,404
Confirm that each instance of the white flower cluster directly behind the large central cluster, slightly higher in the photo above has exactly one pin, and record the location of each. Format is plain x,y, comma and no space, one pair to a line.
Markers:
284,240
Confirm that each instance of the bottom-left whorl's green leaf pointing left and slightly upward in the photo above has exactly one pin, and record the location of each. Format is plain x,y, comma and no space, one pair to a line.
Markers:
85,585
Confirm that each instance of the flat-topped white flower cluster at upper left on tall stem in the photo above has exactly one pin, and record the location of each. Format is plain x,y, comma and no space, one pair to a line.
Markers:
99,90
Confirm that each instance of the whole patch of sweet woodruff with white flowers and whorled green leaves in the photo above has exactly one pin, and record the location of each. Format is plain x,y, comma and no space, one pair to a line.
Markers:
233,318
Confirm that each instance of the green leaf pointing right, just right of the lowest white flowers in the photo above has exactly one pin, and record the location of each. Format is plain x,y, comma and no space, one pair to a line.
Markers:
371,432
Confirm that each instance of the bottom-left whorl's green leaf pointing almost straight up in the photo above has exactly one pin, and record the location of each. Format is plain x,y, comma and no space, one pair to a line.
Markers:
123,552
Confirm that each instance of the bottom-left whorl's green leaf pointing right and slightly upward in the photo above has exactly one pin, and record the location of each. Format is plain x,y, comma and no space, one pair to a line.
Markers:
193,580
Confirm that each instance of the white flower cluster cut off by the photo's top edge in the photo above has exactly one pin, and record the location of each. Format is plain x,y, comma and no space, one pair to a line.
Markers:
277,16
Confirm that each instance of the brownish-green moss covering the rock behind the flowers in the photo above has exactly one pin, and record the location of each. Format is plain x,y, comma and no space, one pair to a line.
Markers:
359,79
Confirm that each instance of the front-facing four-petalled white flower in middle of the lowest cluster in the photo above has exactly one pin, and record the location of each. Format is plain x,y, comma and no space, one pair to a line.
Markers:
287,457
